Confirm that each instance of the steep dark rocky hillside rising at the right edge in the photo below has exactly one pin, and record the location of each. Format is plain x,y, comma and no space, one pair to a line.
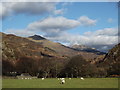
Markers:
111,62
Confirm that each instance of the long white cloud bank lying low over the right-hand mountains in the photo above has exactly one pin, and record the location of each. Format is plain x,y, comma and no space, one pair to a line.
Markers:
98,39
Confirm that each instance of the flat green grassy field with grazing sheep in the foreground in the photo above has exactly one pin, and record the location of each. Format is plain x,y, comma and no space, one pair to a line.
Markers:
55,83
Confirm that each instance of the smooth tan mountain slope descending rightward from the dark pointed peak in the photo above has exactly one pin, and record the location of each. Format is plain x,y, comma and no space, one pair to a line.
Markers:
62,50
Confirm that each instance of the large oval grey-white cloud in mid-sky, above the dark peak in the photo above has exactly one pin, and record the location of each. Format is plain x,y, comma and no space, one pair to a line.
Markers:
53,24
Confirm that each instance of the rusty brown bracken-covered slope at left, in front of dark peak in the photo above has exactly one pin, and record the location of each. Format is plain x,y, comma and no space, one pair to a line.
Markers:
14,47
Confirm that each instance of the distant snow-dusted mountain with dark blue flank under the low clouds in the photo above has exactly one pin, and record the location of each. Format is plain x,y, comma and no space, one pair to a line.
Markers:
87,49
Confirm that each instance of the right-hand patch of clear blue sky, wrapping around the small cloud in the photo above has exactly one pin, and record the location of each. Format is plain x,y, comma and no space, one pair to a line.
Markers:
100,11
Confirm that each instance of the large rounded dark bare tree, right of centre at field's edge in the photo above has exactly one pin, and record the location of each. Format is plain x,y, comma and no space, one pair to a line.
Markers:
74,67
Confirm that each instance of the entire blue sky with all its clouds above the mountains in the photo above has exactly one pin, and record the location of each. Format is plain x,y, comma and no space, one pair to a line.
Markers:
94,24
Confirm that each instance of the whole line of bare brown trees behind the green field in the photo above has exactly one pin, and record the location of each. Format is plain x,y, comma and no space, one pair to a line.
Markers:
74,67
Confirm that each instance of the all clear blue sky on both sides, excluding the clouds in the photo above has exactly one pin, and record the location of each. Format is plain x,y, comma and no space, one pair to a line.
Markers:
101,11
